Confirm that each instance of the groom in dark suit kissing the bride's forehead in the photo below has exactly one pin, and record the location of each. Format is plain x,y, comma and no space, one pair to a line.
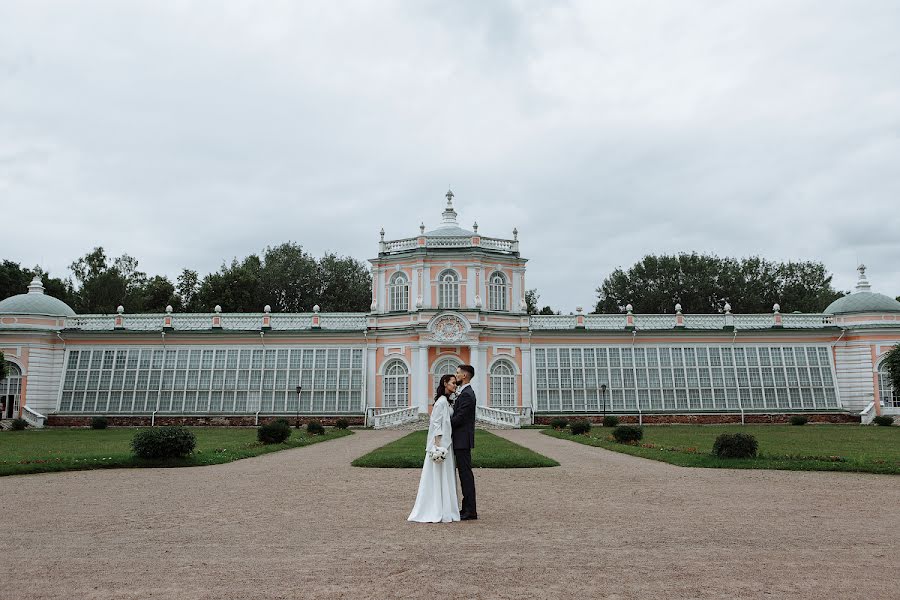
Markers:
463,422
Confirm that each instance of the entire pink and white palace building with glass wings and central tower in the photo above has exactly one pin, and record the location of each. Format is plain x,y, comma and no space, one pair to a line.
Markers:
442,298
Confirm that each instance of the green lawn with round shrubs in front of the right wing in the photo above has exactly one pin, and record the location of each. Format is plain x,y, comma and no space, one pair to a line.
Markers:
785,447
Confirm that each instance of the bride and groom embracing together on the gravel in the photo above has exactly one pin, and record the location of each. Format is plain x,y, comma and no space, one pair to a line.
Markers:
448,448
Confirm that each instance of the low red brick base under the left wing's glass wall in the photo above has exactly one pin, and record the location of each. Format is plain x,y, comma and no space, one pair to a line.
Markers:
195,421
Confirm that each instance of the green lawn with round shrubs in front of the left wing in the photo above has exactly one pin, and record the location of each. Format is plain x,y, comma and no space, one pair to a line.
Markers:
45,450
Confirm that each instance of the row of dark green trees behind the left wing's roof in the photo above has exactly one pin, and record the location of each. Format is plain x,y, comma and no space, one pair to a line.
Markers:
284,277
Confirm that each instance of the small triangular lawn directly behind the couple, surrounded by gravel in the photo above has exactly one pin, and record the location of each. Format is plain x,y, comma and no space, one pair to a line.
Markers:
490,452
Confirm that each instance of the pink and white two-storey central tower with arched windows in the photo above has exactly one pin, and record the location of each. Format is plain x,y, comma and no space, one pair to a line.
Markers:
446,297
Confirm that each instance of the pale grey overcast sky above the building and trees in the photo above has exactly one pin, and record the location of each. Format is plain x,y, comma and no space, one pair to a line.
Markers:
188,133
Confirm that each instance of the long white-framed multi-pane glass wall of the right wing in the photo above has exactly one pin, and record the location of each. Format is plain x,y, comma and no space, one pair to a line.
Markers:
685,378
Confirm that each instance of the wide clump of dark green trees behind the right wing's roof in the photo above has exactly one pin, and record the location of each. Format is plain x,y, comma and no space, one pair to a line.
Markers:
704,283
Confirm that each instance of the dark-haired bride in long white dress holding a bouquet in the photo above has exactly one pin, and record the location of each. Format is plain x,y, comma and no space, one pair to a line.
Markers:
436,501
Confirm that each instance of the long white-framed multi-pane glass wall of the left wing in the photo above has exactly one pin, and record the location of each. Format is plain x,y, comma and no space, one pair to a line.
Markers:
213,380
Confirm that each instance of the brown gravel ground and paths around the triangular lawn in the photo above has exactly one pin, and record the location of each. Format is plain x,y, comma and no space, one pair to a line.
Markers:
304,523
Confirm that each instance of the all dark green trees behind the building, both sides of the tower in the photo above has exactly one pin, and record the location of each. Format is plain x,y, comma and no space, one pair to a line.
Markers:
290,280
